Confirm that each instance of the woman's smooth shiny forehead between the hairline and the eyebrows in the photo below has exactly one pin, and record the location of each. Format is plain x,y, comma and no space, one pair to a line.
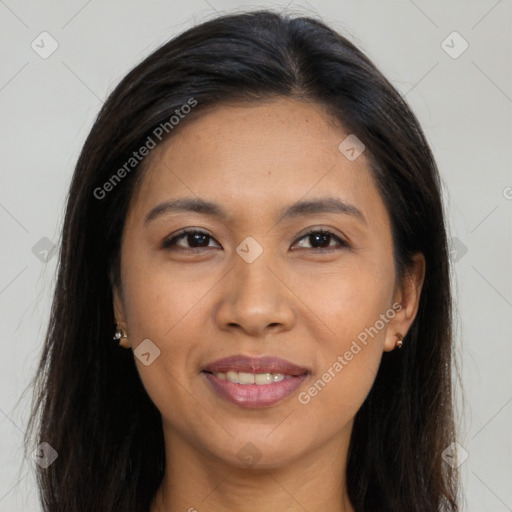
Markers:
258,157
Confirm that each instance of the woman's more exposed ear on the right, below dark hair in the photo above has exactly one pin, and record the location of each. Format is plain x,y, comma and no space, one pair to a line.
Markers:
408,296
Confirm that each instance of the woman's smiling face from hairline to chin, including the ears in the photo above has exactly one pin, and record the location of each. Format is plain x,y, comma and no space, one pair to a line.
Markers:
268,292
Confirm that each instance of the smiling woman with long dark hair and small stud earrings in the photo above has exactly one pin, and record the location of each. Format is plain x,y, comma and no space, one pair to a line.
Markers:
256,218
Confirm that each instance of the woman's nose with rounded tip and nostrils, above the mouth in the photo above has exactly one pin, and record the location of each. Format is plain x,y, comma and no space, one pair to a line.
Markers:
255,298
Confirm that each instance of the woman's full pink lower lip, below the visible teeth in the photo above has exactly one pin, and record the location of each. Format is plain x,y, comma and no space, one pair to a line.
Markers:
254,395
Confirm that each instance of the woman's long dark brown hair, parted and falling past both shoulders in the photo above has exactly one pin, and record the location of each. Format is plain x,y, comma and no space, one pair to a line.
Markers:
89,403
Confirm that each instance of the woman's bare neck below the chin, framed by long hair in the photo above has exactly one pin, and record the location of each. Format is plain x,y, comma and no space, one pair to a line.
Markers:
195,481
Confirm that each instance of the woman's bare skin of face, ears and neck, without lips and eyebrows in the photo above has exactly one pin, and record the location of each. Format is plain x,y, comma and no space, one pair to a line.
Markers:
294,301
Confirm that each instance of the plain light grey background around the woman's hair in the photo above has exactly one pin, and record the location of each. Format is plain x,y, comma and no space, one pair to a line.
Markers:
48,105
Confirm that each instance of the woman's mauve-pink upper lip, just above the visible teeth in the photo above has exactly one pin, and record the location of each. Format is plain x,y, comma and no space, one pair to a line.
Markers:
266,364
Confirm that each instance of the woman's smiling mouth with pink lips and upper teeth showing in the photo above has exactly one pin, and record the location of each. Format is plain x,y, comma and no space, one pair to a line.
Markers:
254,382
